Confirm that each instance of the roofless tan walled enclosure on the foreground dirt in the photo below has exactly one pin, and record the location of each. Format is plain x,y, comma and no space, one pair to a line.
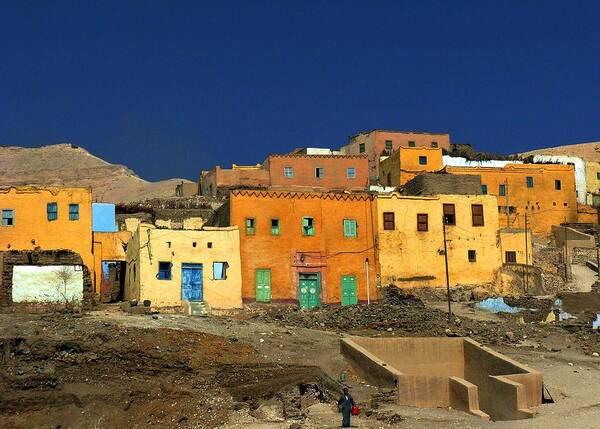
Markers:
448,372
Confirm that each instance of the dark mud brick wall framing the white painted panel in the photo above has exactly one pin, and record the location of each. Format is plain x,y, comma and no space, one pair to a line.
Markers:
45,257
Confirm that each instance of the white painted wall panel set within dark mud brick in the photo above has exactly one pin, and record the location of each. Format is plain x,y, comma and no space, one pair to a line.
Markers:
42,284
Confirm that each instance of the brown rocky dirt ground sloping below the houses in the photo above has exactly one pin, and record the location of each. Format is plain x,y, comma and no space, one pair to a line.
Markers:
270,366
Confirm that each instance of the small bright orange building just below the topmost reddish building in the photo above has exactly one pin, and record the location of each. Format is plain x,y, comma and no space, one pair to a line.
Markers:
407,162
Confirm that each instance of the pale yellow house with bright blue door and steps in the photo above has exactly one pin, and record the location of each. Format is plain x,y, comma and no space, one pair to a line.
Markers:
169,267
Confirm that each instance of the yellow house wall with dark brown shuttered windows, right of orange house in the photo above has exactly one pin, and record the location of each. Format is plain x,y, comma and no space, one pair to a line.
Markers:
411,258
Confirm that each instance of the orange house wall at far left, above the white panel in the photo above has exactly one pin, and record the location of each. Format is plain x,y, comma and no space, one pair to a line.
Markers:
32,229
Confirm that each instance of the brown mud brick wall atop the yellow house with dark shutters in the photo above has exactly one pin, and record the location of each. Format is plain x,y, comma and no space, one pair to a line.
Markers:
443,184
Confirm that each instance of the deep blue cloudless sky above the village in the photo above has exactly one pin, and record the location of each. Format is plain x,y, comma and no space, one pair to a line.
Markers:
170,87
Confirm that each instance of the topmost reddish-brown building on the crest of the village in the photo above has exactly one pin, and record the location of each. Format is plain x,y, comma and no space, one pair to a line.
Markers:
377,143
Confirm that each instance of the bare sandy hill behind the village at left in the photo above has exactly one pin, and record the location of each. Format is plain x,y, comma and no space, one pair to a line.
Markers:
70,165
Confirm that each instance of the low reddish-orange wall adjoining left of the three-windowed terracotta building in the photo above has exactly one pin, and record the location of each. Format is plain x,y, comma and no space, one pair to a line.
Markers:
236,177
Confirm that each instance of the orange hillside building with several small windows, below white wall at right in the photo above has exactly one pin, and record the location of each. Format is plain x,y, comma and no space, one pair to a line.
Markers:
545,192
